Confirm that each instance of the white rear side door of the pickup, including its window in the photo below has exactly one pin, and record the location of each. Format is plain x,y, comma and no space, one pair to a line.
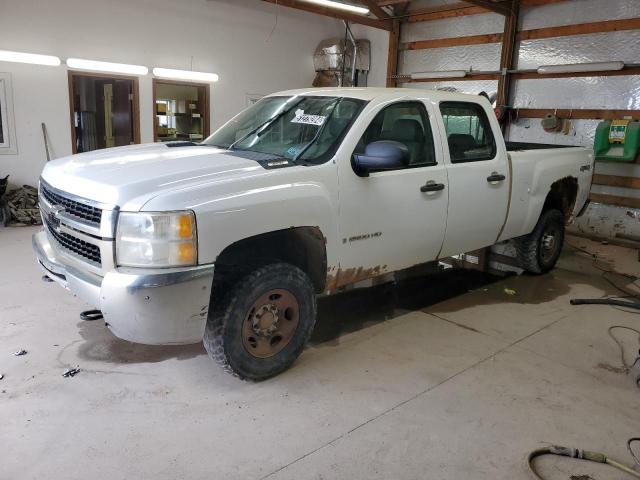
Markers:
478,177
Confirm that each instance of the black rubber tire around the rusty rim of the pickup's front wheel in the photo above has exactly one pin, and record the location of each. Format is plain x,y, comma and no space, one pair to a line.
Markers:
223,337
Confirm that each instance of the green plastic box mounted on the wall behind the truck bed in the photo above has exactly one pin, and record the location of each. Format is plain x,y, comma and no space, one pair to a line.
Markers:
618,144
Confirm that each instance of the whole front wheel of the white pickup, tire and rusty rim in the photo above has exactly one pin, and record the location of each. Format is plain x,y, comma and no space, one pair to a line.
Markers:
263,322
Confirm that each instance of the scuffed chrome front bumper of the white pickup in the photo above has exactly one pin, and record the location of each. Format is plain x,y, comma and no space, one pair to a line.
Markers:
155,307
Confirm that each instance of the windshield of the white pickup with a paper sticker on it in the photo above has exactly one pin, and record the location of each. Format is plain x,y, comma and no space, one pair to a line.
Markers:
296,128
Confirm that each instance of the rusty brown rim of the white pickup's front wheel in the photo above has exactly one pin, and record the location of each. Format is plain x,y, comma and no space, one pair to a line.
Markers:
270,323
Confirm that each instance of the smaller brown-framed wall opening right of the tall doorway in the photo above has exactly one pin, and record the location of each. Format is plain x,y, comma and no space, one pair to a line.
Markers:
180,110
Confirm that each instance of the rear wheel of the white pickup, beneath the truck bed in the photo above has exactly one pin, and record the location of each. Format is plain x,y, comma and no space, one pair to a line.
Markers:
534,251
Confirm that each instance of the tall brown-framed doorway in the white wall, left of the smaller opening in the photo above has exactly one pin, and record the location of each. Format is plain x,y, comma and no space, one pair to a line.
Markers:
104,111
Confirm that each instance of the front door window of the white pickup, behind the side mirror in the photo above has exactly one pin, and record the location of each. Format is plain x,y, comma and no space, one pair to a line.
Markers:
407,123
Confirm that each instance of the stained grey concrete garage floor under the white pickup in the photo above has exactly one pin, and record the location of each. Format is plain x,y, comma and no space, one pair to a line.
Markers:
419,381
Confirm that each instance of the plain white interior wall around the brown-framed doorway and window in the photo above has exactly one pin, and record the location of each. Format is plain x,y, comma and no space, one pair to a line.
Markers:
255,47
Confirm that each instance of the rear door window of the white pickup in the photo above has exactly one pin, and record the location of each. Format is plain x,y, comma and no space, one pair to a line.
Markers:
468,132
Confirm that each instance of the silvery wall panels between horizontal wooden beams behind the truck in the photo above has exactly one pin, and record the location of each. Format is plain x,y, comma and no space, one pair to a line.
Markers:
620,92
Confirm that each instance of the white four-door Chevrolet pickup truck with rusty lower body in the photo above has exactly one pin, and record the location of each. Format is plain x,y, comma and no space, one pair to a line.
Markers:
229,241
